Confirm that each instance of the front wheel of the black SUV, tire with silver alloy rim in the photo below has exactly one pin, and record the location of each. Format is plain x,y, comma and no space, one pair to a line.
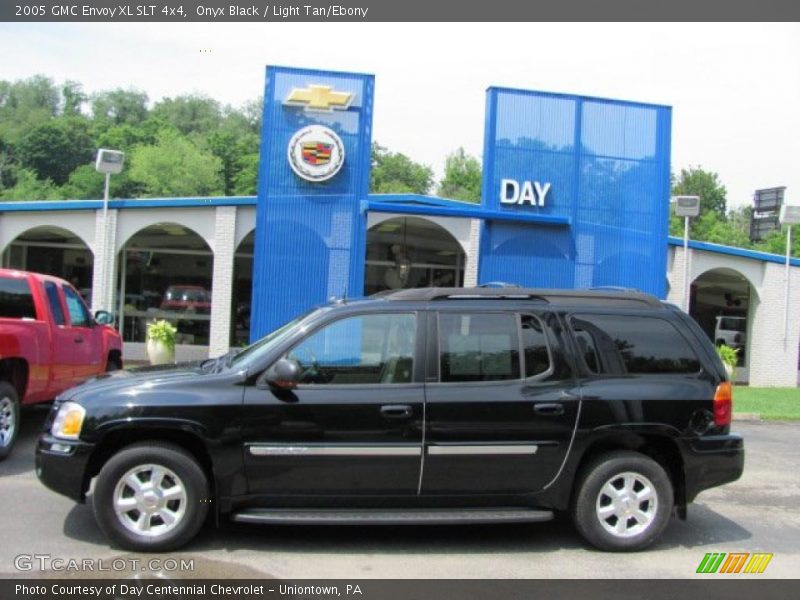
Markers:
180,469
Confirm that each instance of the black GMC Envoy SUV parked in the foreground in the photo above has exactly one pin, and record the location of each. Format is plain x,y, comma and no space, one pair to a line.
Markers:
439,405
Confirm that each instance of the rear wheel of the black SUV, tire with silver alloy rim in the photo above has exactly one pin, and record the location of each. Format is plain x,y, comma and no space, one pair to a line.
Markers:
594,512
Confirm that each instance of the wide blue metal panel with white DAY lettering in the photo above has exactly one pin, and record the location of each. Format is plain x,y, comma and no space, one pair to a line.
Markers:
607,163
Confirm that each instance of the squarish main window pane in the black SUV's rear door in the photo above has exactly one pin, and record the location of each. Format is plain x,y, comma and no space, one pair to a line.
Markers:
478,347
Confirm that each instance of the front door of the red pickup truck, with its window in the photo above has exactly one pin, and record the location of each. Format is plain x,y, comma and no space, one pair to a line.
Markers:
83,341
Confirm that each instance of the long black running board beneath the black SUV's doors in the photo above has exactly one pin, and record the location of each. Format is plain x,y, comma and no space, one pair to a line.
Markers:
423,516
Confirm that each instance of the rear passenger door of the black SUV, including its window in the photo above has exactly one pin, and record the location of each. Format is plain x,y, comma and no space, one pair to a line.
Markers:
501,403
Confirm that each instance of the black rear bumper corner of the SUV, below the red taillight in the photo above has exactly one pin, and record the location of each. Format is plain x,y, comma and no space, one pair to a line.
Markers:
712,461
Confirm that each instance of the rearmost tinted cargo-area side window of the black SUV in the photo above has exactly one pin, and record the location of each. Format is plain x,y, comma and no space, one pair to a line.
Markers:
618,345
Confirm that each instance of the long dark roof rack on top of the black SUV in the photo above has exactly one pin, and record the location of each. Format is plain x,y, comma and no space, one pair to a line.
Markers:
615,297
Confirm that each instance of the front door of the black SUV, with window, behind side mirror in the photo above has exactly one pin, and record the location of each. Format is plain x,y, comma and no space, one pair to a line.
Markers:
353,424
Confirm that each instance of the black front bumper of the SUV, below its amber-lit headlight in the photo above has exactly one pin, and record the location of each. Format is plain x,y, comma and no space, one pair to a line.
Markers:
61,465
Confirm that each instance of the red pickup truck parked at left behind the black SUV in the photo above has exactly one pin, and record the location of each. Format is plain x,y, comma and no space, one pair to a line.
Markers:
49,342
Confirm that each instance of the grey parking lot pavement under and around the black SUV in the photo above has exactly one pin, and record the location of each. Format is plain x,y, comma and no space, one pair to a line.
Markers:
759,513
